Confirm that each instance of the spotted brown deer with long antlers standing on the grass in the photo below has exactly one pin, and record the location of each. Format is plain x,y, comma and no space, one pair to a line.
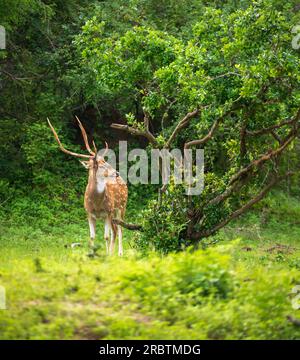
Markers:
105,195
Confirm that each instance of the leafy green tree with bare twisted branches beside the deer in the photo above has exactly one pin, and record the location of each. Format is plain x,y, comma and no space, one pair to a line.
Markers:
231,88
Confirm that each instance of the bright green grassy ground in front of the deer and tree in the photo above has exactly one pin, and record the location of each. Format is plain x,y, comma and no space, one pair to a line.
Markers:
238,286
